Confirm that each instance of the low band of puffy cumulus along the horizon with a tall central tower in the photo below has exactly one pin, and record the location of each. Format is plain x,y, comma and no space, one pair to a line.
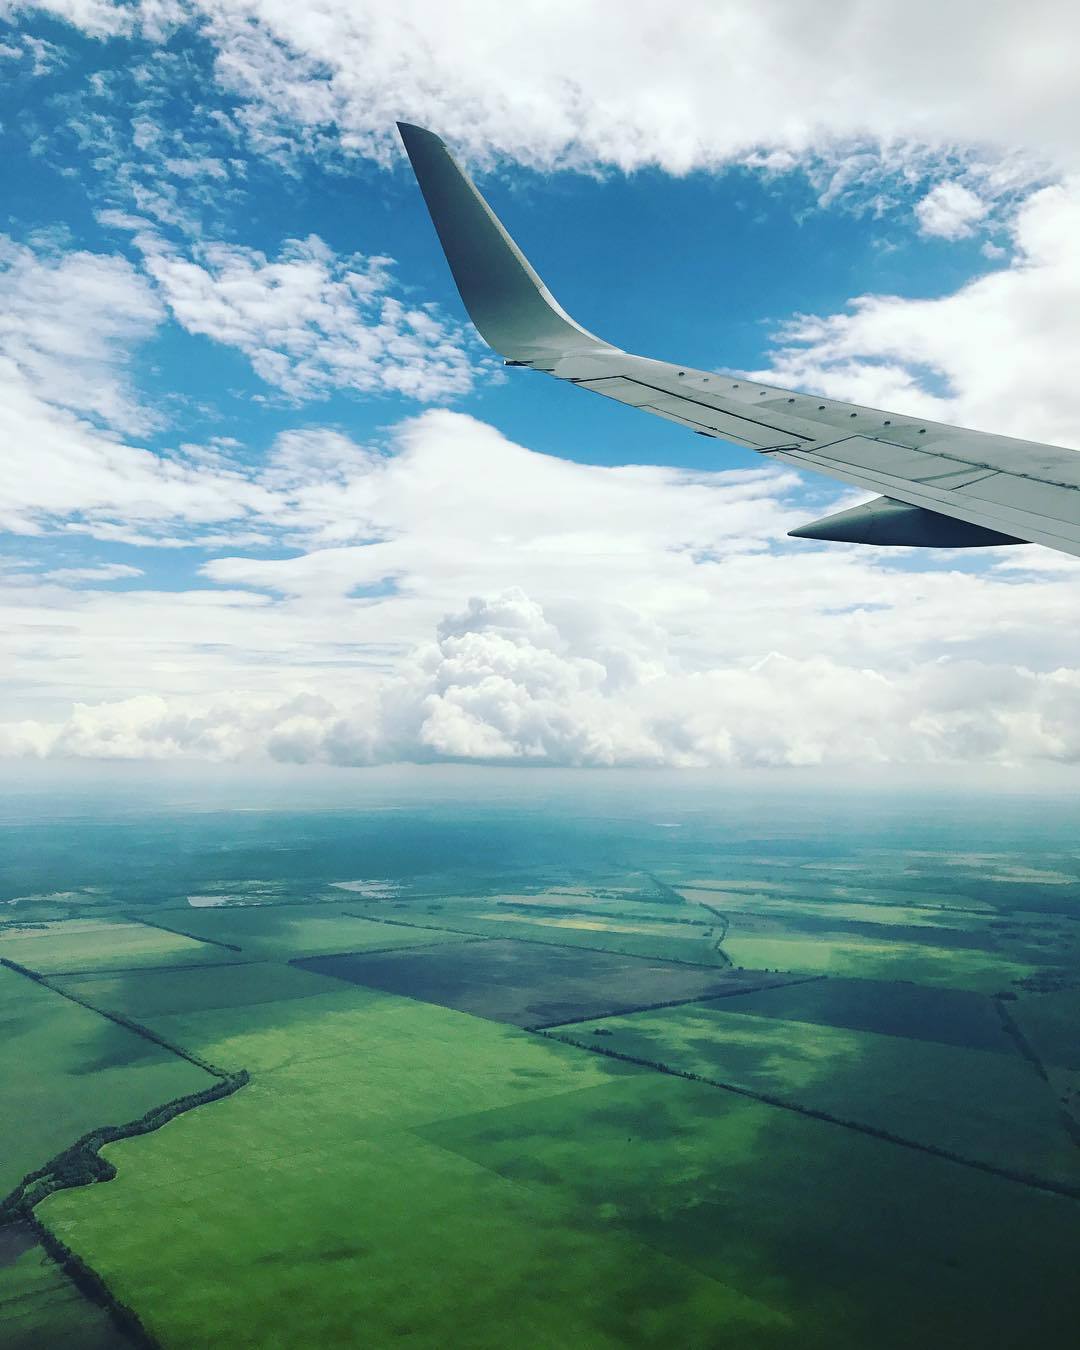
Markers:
504,685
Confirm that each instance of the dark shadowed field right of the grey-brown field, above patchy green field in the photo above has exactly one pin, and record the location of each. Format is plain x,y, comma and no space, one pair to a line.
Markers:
920,1012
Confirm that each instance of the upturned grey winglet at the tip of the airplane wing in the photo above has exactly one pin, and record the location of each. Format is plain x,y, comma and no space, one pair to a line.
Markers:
510,304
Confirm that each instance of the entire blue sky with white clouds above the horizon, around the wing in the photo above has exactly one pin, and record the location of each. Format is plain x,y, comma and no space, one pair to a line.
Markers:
268,500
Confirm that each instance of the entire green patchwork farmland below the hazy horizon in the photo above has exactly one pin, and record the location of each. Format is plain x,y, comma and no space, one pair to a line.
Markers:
589,1079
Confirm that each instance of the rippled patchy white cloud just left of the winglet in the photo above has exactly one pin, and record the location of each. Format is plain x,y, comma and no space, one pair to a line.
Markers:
308,321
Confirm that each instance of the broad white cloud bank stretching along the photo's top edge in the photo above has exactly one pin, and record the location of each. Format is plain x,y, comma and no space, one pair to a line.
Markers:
693,88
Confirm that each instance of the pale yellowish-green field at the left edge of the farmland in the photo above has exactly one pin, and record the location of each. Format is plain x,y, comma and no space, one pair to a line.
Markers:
103,944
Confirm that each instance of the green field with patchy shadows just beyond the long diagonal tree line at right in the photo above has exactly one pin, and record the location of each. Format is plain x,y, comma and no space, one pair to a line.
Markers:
977,1104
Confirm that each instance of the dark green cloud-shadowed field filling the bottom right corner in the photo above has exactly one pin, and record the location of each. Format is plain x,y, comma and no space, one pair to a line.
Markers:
790,1213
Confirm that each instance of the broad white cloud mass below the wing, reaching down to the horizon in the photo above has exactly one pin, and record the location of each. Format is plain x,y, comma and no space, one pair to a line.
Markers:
597,616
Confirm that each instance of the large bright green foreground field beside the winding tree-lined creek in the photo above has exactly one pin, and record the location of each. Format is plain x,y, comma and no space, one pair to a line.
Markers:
344,1218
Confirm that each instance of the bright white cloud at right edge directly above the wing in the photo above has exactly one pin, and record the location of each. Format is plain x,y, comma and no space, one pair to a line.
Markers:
1001,349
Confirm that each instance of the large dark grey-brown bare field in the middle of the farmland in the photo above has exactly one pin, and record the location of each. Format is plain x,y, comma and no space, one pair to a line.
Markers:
531,985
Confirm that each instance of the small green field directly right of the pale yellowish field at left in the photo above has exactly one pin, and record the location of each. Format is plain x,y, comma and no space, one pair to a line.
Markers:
286,931
